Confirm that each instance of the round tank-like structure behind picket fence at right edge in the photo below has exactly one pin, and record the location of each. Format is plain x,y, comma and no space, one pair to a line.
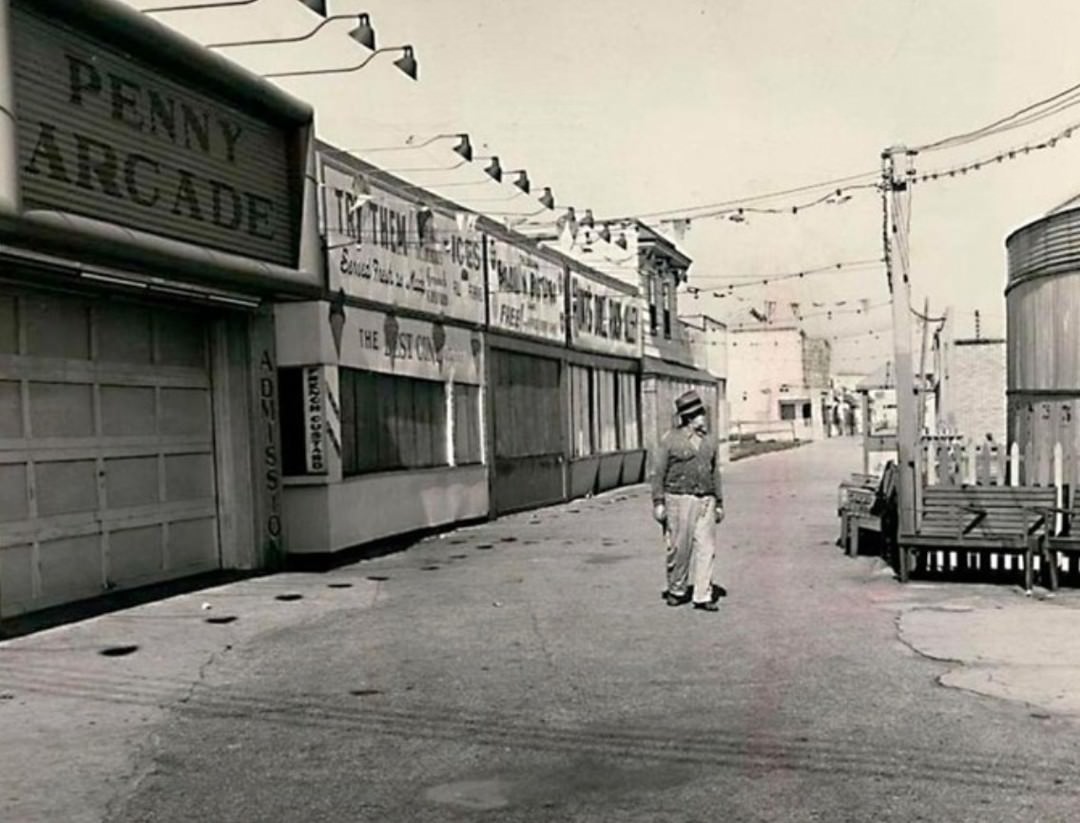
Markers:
1043,303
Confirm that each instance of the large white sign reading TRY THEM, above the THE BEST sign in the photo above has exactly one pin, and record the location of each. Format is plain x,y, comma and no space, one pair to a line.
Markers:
390,250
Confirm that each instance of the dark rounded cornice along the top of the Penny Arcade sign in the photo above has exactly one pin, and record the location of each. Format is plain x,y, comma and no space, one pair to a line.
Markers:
160,46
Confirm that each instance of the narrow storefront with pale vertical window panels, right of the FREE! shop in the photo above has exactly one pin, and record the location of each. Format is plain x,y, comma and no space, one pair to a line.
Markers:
604,376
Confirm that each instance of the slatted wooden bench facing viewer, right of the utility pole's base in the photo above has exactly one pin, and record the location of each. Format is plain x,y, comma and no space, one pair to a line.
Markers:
988,520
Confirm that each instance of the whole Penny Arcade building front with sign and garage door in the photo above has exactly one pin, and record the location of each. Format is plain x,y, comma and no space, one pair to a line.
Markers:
153,205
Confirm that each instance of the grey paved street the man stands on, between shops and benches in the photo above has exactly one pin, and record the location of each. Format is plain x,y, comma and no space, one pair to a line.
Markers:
528,670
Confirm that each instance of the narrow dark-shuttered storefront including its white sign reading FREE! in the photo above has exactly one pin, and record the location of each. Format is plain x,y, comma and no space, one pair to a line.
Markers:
526,354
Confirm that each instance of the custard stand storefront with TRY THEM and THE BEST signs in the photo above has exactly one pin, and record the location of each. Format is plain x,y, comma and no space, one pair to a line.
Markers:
383,381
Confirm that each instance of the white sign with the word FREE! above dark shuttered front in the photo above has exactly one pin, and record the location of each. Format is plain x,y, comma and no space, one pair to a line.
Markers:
528,293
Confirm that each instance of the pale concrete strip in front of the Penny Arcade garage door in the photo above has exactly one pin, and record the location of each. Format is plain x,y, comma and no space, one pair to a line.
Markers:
79,703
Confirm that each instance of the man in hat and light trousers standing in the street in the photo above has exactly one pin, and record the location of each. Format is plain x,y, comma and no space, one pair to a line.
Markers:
688,503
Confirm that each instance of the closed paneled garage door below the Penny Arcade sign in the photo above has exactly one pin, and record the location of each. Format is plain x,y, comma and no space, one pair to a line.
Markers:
106,448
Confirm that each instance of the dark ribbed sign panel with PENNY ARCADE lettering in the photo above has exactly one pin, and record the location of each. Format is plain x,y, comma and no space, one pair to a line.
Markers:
104,136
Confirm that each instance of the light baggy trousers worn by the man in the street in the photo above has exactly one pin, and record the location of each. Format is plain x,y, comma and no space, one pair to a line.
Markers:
692,549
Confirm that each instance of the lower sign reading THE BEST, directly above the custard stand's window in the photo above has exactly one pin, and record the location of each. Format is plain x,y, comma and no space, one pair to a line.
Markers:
415,348
